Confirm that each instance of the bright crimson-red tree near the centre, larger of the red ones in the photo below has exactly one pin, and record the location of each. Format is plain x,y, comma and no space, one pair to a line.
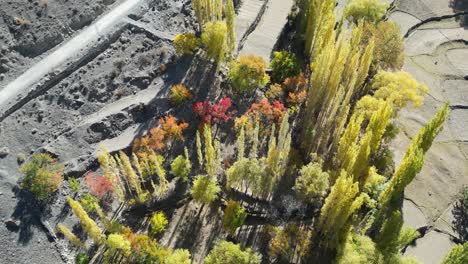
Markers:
217,113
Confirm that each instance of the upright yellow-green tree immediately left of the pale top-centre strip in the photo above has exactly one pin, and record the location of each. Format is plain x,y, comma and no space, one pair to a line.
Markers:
214,38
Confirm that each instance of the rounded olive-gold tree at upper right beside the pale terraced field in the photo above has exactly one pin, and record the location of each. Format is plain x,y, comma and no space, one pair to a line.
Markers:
389,46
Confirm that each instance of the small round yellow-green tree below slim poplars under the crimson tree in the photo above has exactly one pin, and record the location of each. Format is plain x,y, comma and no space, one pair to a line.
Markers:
205,189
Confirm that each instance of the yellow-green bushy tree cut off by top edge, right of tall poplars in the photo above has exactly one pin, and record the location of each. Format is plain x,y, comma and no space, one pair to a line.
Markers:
368,10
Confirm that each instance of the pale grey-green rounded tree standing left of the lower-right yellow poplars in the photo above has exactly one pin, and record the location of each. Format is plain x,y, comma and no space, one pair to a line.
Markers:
312,182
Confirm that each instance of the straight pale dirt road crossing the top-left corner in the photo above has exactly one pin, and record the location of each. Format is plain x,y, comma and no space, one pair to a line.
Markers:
69,52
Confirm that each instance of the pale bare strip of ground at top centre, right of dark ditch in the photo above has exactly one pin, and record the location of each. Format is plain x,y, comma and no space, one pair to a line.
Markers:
262,40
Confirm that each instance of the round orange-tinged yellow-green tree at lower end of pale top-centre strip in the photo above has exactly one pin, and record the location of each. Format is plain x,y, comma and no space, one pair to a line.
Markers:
248,73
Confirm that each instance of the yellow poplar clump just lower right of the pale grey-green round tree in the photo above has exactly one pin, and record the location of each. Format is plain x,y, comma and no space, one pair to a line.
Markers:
336,214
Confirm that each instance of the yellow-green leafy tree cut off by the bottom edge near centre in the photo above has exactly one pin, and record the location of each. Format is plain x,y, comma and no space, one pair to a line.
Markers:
229,253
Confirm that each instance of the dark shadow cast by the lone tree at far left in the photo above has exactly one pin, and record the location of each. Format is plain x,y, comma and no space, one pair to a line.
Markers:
27,214
